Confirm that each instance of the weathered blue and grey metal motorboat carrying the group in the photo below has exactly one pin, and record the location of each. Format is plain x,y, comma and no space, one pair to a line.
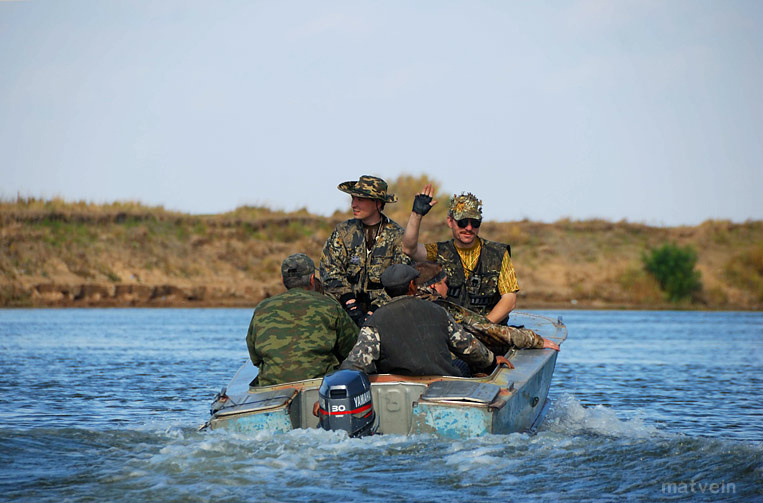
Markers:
513,398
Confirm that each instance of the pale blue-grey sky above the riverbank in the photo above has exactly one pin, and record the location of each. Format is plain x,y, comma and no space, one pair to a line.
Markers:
645,111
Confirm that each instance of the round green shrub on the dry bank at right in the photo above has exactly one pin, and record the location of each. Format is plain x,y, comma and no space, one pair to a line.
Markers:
673,268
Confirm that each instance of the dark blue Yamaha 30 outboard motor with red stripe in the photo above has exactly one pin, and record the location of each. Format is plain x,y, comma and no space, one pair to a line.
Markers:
345,403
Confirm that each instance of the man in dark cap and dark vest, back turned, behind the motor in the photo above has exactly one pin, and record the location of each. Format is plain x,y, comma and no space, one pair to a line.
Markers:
409,336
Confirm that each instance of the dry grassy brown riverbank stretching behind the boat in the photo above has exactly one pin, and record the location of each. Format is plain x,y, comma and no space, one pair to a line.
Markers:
56,253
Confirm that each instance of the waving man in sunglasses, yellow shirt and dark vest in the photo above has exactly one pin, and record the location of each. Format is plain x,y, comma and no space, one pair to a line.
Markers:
480,272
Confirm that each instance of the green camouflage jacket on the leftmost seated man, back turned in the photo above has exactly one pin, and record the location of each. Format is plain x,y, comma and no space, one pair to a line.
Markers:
298,334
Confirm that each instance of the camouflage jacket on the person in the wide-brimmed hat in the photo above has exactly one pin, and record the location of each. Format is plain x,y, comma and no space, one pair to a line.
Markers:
347,267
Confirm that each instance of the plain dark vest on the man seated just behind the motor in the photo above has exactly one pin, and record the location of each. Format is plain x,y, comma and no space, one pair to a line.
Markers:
414,338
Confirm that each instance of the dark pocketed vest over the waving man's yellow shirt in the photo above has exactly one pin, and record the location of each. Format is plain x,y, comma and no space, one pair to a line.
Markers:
479,292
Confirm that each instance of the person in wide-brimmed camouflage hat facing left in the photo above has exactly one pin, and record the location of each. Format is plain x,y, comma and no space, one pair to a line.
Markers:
360,249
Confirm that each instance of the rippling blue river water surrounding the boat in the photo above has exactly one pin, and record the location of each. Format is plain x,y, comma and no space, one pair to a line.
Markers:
104,405
